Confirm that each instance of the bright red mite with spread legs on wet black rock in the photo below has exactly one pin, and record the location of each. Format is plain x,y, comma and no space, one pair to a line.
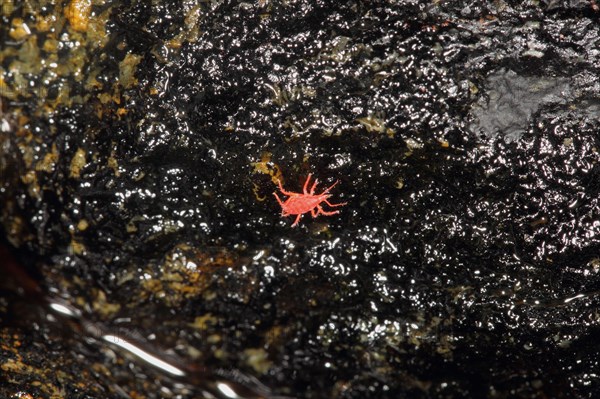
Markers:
301,203
